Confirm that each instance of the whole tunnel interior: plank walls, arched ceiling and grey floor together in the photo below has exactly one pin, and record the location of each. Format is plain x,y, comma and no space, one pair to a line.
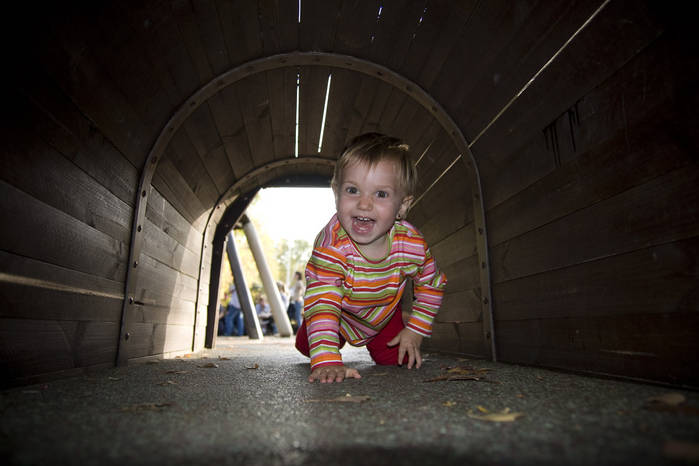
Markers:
555,144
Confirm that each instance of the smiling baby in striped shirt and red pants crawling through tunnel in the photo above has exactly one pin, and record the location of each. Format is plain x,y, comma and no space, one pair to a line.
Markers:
360,264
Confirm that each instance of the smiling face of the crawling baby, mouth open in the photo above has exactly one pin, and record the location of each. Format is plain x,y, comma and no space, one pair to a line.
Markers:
368,201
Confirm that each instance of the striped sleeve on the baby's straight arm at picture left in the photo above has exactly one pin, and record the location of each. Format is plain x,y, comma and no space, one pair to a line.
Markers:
325,274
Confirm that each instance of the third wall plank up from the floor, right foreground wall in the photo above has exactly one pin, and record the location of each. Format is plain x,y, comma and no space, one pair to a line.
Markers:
623,223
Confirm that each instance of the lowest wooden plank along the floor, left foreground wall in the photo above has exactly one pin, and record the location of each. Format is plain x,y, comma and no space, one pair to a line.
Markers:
64,345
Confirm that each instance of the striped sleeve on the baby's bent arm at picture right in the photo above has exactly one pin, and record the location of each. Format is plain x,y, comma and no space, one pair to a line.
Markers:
429,285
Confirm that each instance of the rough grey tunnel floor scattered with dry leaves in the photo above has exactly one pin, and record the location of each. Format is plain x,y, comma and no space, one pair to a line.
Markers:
180,411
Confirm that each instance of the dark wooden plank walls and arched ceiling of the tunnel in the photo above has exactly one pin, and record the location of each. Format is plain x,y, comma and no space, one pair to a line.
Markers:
556,143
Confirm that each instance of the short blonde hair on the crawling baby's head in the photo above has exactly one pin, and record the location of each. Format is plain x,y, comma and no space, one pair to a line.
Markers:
372,148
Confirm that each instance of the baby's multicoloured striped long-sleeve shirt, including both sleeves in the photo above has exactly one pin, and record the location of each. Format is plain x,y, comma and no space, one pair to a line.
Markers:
350,295
